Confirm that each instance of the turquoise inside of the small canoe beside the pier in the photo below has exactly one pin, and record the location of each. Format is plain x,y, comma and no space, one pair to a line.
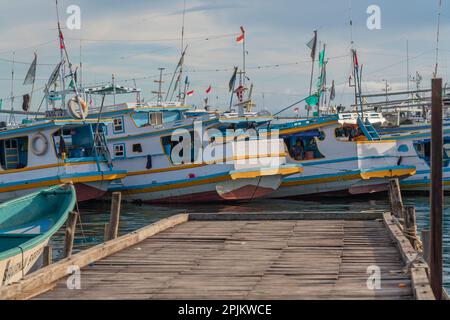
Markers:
28,221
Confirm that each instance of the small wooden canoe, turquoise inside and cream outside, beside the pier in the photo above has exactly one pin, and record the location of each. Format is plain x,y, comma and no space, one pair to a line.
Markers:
26,226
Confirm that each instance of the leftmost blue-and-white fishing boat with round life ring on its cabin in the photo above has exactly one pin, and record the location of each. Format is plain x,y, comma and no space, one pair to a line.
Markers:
38,154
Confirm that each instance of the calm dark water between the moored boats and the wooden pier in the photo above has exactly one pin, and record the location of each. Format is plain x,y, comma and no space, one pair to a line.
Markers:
96,214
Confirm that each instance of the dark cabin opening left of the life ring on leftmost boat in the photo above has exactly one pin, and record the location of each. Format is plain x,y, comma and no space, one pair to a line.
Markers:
14,153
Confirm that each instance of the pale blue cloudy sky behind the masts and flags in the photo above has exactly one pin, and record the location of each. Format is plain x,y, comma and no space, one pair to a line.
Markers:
132,39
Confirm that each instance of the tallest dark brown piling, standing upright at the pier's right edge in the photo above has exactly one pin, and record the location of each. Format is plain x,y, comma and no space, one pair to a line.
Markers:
436,189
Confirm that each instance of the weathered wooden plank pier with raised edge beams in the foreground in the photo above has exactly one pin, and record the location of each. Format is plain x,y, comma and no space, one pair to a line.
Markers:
243,256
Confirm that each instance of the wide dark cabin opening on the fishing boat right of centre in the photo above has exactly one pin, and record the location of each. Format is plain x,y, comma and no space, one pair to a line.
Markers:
304,146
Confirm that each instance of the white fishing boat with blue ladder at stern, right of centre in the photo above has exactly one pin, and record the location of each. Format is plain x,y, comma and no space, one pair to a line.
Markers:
336,159
